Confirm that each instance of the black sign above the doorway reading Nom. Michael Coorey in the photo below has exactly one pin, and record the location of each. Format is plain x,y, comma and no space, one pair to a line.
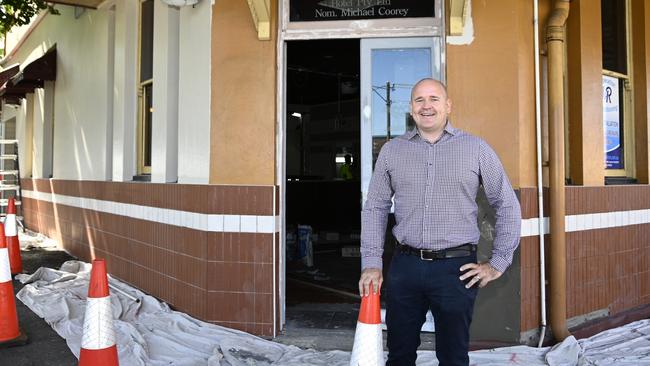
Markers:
320,10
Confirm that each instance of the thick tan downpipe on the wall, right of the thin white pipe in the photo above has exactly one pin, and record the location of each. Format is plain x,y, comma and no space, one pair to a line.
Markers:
555,38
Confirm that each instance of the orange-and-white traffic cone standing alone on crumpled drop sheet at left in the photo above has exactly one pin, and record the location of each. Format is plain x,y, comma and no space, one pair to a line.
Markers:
98,342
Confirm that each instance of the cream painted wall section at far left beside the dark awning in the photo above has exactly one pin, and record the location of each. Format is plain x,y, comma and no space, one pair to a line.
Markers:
80,107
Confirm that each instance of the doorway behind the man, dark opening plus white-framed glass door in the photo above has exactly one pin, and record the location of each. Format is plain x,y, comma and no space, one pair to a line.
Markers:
344,99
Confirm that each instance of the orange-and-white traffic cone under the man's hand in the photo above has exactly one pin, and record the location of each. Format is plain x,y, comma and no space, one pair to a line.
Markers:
368,349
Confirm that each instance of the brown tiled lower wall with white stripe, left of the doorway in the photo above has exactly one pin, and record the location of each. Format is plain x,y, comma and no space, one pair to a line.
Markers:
204,249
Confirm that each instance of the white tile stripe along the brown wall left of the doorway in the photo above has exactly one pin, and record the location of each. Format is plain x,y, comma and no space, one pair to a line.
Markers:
194,220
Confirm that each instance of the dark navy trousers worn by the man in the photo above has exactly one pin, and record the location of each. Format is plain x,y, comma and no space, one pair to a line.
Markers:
415,286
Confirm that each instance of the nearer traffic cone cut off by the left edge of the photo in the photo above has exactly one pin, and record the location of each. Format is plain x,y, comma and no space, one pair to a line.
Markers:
10,334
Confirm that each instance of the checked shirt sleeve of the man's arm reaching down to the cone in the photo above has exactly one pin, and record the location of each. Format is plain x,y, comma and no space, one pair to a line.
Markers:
374,216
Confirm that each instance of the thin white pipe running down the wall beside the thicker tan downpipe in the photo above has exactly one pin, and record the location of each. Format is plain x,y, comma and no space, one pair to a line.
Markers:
540,180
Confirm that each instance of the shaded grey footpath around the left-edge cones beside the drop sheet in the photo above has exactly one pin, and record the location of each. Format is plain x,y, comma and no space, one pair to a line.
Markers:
45,347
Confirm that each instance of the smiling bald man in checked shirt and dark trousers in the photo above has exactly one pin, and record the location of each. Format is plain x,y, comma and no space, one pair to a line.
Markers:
433,174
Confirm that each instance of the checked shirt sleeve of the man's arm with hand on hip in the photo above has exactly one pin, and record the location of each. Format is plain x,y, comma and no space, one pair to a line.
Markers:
503,200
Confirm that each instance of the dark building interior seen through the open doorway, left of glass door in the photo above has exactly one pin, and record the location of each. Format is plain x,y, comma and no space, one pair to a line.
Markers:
323,189
